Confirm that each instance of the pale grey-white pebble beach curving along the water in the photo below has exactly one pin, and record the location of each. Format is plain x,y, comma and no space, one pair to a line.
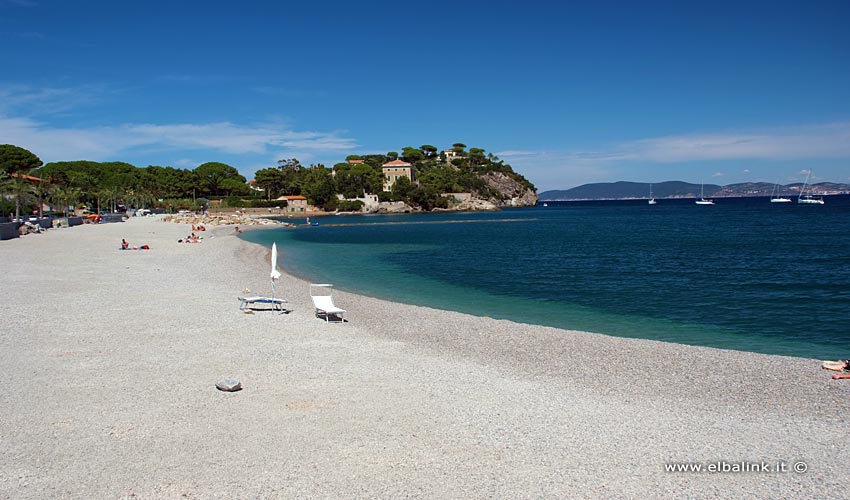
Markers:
110,359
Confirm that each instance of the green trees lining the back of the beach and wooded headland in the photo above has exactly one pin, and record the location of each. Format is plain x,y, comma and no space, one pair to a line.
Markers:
110,185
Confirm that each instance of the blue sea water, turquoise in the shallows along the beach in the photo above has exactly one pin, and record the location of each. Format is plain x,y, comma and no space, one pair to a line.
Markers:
744,274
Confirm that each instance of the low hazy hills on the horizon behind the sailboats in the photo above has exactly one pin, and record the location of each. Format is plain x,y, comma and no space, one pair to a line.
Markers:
623,190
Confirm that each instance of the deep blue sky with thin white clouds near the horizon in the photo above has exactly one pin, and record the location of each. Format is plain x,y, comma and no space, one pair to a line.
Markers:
567,94
